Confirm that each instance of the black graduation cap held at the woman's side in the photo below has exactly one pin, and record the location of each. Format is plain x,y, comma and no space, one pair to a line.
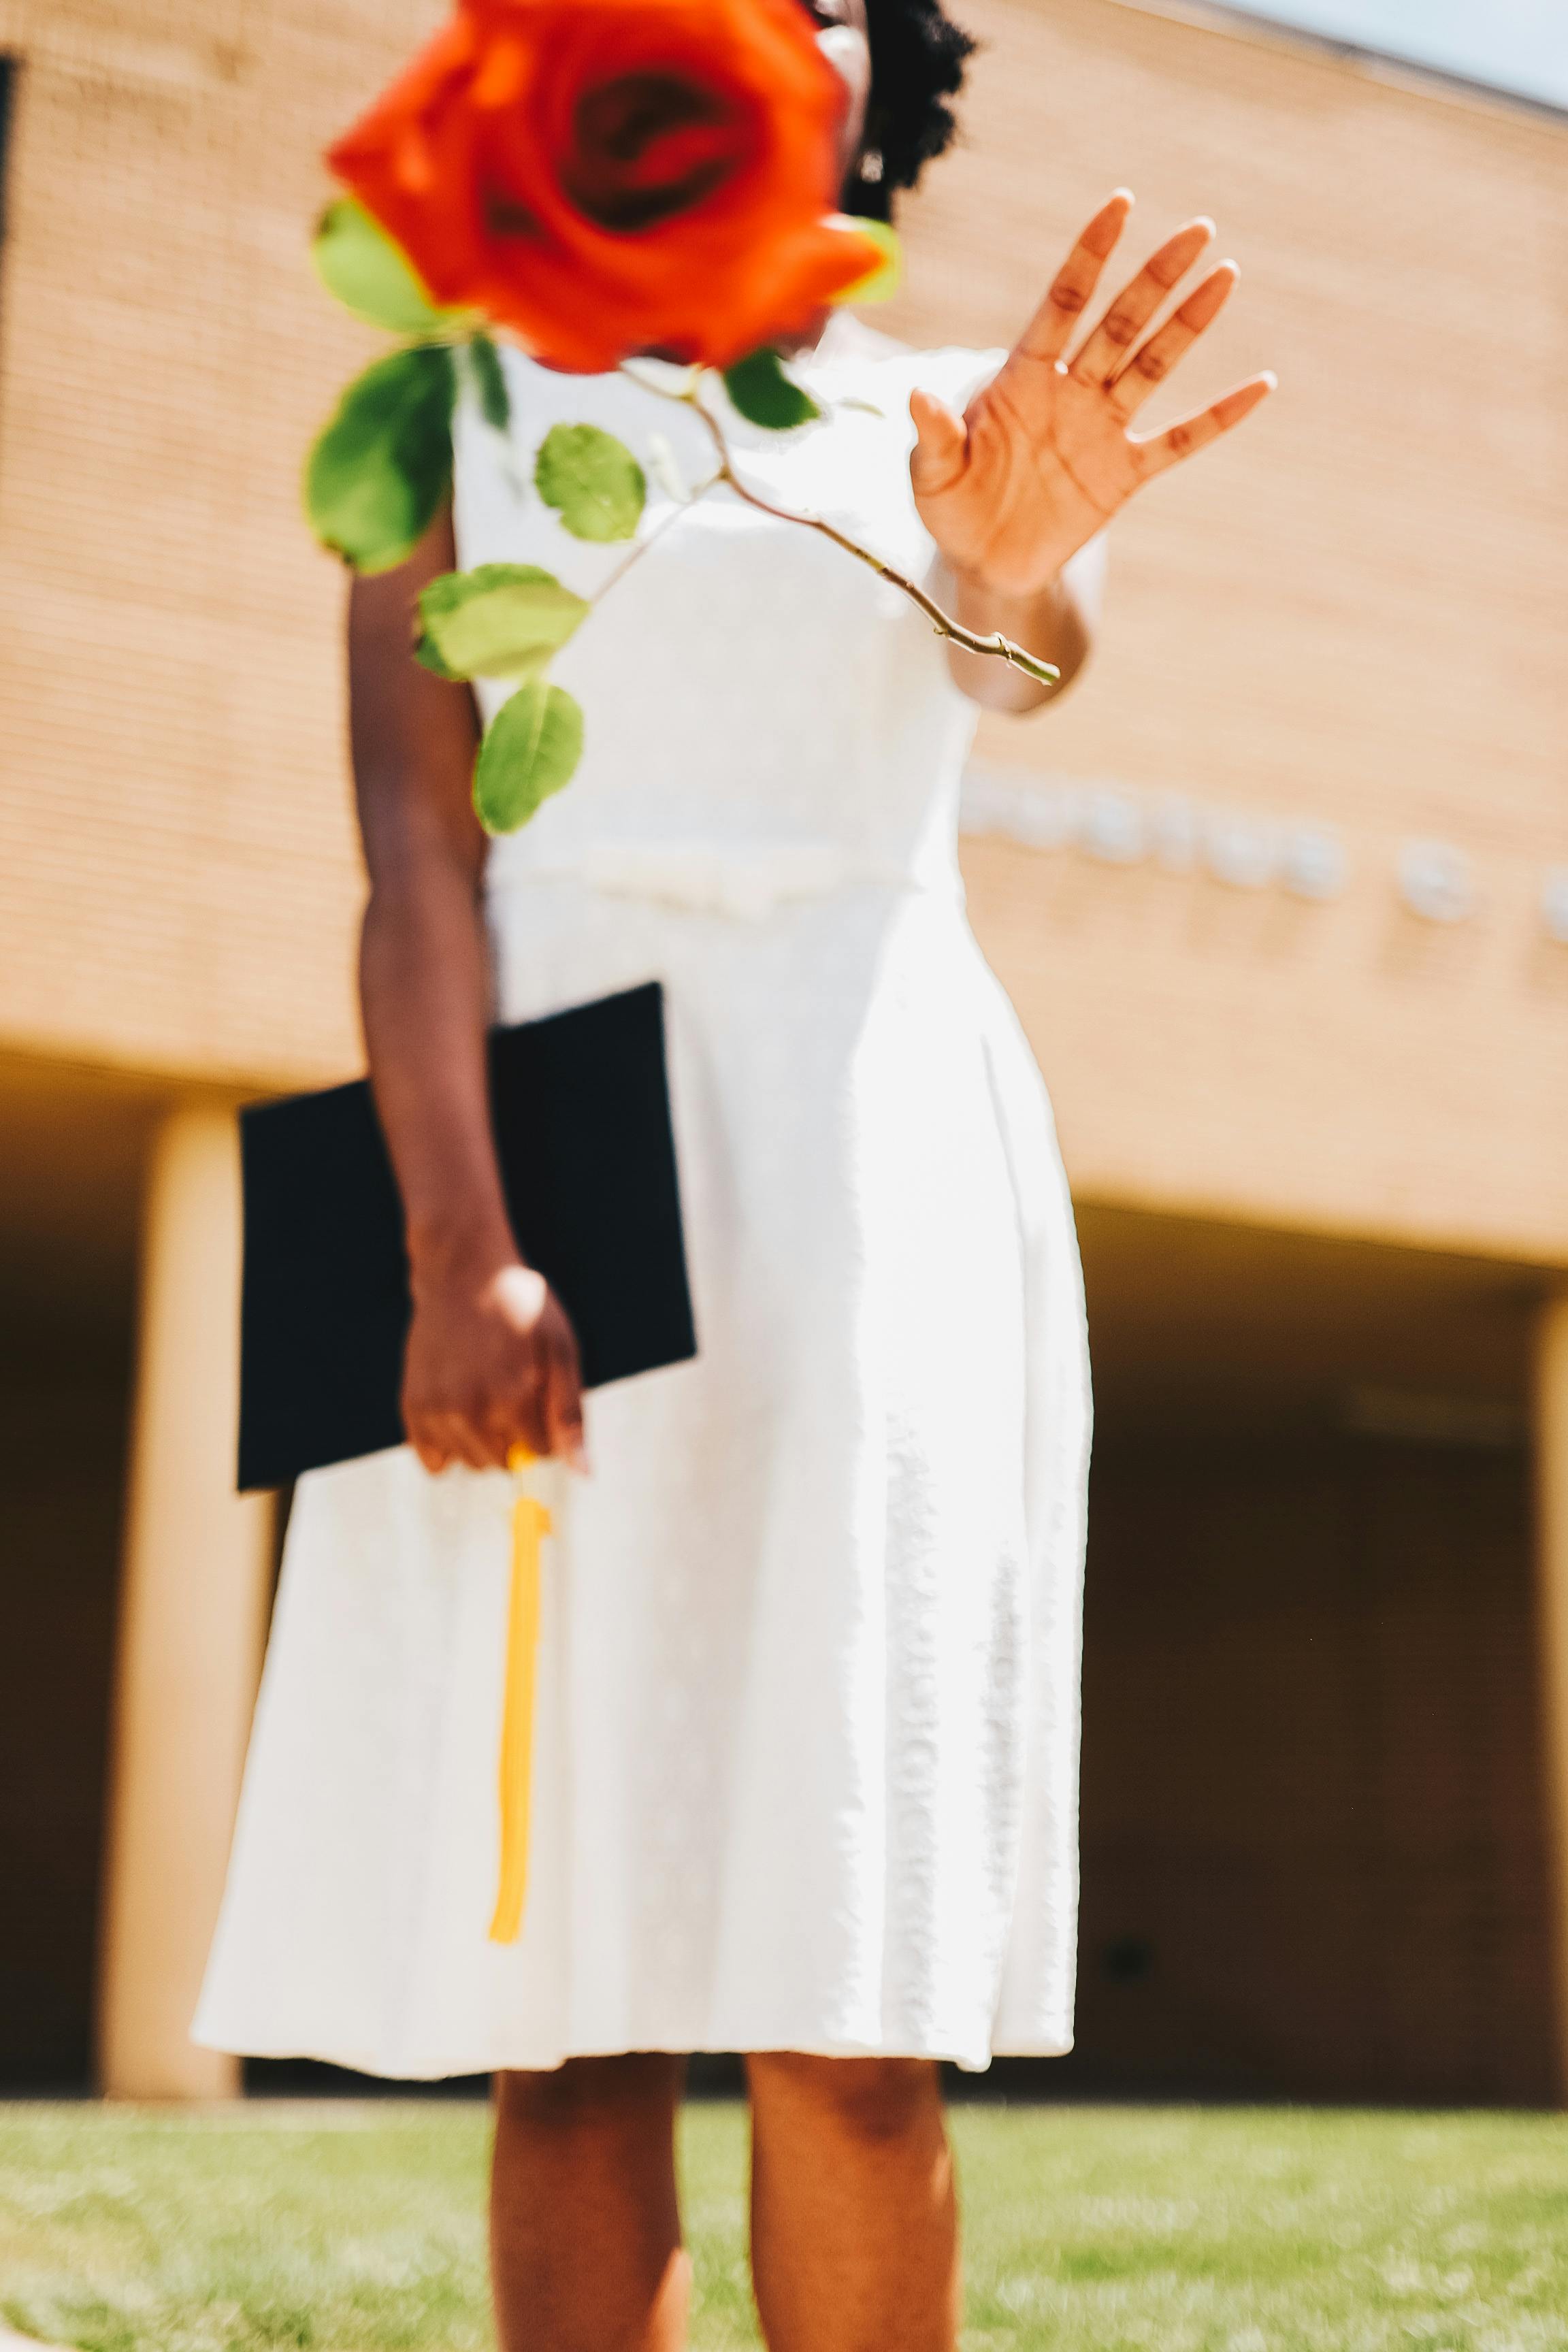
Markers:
582,1118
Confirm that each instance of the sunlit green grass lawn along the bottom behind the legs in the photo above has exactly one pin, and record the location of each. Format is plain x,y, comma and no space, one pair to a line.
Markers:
359,2229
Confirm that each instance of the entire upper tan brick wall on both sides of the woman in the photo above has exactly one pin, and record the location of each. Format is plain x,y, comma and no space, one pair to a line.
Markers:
1351,615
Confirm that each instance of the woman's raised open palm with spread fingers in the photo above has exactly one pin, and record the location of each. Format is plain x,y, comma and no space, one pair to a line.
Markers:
1045,455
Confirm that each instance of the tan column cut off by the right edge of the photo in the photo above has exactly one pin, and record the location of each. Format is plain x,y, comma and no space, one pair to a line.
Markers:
1553,1617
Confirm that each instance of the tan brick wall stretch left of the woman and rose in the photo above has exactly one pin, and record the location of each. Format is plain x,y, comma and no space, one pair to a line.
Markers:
177,869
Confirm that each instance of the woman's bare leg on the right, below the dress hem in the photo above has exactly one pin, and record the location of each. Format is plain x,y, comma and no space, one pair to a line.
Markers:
855,2214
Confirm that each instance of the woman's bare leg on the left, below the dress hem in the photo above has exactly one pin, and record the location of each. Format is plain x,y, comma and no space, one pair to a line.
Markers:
587,2252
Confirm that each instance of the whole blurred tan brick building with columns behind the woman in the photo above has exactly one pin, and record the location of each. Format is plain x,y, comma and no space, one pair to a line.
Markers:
1282,895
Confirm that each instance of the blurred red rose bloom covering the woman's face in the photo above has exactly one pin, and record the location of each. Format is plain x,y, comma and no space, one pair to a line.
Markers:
612,178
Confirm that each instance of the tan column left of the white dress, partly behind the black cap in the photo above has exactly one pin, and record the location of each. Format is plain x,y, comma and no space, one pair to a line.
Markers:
192,1624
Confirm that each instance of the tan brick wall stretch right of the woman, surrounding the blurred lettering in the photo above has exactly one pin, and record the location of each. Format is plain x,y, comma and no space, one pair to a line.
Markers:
1355,613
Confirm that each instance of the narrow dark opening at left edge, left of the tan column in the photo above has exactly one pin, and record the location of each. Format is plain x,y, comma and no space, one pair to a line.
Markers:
69,1187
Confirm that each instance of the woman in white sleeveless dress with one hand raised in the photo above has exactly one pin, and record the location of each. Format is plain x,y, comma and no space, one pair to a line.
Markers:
808,1723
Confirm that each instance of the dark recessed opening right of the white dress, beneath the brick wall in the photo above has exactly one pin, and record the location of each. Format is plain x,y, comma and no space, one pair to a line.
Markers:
1313,1789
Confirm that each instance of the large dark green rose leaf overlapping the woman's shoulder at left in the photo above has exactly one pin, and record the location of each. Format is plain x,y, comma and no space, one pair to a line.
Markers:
382,469
